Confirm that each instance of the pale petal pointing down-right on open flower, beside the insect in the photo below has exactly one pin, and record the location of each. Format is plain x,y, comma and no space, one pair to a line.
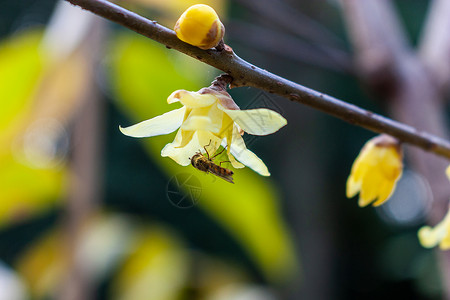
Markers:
247,157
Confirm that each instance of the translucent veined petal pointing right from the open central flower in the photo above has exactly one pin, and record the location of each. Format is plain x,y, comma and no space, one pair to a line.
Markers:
261,121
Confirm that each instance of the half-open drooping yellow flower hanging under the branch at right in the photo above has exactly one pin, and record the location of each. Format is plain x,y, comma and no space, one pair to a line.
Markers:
376,171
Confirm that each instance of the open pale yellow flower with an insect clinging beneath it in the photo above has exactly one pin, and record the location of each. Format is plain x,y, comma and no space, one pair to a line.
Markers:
210,118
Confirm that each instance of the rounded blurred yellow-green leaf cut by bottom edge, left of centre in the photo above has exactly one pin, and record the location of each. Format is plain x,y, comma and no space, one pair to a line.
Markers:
157,267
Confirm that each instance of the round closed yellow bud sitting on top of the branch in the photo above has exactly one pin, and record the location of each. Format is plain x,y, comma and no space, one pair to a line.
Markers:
200,26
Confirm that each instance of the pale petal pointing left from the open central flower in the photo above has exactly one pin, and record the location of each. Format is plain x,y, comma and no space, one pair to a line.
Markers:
163,124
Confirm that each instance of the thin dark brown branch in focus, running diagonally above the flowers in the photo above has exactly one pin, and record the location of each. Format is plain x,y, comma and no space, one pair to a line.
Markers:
246,74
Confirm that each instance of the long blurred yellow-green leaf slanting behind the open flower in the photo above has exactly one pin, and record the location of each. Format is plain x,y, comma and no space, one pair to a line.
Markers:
144,74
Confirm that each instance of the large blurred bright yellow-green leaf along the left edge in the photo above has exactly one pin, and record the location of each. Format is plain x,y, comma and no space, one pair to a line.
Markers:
25,190
